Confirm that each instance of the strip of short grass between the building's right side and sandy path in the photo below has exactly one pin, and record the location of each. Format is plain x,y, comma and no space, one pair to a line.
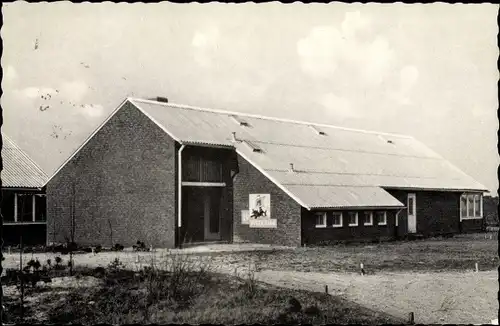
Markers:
429,255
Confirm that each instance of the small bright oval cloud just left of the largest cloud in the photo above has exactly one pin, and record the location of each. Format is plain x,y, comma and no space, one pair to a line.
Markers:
205,43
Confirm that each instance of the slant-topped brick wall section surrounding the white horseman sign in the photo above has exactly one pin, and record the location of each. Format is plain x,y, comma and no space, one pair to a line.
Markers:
287,212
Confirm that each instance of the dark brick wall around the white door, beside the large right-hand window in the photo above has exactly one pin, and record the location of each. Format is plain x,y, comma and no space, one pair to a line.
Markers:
438,212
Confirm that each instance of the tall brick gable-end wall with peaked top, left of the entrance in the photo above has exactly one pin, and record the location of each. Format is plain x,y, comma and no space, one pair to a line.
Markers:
125,186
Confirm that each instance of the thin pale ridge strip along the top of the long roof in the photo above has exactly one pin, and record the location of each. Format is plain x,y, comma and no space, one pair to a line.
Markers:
258,116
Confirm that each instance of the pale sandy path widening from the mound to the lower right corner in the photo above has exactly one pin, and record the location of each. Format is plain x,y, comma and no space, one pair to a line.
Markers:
449,298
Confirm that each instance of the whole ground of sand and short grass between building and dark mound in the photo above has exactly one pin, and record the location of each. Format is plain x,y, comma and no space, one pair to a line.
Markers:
432,278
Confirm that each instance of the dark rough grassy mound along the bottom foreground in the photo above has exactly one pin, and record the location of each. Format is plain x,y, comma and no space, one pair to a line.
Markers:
182,295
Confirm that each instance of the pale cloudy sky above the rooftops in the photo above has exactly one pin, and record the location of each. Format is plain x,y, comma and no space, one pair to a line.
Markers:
428,71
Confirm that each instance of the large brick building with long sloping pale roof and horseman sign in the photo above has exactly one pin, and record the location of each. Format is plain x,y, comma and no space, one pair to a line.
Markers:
170,174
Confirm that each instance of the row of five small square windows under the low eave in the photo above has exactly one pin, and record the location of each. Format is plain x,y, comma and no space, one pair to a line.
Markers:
353,219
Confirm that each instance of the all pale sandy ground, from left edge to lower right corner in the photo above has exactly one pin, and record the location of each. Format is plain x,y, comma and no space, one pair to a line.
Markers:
443,297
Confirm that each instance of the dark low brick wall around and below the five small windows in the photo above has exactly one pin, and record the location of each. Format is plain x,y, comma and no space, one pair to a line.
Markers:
329,234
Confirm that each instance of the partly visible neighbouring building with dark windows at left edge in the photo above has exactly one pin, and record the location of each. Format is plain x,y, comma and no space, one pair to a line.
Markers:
23,197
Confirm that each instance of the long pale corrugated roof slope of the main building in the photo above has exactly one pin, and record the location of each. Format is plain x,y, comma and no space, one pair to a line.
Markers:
330,166
